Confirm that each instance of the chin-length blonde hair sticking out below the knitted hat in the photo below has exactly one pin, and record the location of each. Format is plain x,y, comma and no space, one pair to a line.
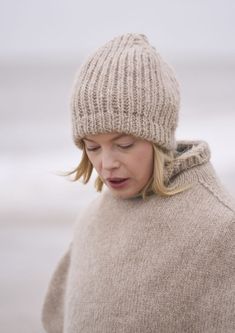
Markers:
156,183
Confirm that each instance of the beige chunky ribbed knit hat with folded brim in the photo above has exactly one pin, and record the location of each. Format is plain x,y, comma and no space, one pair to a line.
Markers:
126,87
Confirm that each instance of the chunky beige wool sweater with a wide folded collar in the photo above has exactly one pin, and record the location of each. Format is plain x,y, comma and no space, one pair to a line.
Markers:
161,265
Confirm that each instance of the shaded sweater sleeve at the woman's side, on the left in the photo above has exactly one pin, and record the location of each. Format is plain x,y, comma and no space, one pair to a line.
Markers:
53,307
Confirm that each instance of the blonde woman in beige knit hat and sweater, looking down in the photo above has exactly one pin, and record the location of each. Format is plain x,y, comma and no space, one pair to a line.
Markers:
155,251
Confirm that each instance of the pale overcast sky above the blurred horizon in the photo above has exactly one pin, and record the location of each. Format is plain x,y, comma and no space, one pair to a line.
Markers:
66,29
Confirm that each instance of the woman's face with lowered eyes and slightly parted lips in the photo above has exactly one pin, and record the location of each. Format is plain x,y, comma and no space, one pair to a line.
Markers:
123,162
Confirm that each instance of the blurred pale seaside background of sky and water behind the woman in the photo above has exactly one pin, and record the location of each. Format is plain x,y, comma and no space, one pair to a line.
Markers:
42,45
